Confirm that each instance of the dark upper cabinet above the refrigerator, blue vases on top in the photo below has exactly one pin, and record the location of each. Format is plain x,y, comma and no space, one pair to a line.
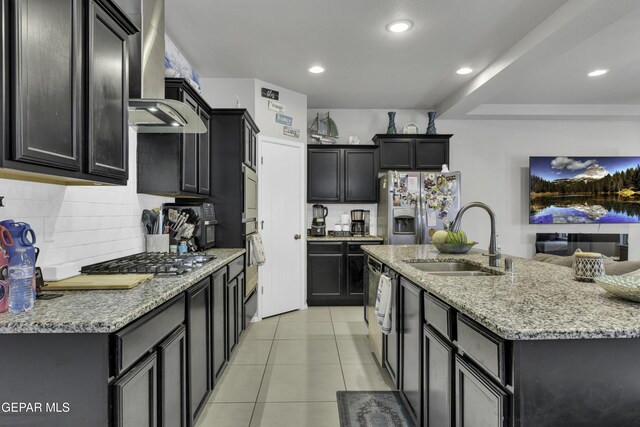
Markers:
413,151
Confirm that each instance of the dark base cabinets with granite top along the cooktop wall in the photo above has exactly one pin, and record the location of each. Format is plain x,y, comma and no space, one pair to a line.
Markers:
96,358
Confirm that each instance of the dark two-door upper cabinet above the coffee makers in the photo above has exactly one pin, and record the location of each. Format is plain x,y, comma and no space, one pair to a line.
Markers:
342,174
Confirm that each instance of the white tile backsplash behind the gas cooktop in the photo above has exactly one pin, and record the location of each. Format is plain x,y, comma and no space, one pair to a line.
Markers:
90,224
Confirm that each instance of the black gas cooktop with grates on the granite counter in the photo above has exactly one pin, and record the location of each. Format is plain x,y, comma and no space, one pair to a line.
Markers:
151,262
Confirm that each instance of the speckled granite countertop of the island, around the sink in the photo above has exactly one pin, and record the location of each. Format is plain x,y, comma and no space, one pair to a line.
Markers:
539,302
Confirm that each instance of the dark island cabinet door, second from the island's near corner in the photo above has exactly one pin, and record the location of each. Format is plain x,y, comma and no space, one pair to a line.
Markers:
437,365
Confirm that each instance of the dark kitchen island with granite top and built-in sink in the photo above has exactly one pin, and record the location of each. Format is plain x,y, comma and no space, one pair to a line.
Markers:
530,349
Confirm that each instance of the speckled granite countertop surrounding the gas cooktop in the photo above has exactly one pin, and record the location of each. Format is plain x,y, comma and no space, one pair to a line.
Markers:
109,310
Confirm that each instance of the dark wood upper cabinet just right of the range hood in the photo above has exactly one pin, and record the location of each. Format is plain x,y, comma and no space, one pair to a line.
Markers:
177,165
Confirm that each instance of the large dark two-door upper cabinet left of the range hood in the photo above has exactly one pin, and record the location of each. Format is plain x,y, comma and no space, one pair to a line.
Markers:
64,91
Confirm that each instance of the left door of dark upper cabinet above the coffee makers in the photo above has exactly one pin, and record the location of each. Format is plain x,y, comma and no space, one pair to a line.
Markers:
324,175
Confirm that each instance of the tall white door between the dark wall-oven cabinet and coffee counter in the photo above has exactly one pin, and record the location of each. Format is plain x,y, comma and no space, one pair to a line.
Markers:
281,213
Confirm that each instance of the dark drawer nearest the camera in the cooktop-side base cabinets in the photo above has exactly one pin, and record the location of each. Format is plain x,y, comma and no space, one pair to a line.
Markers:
134,340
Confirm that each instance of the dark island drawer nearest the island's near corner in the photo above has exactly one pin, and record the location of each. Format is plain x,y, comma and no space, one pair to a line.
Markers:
482,346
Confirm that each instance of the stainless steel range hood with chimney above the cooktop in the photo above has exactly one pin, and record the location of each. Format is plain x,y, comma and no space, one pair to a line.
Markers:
149,111
